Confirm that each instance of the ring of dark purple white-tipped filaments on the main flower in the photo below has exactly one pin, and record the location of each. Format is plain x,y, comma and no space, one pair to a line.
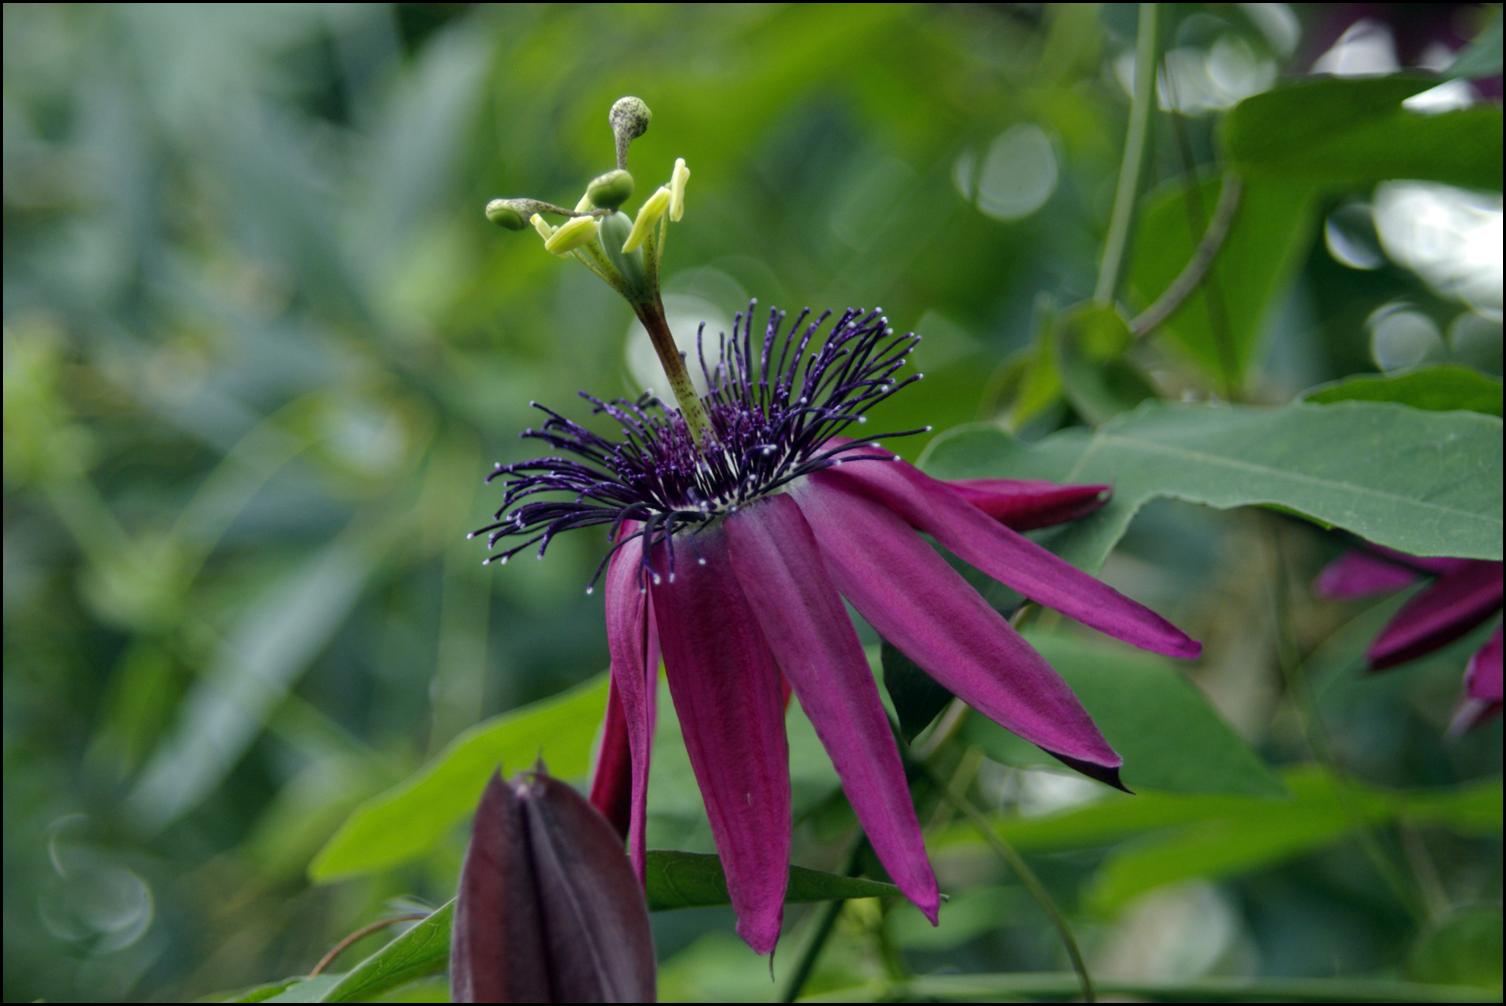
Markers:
773,404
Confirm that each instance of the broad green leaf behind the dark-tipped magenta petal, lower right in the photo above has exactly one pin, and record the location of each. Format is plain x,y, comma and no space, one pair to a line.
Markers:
1165,730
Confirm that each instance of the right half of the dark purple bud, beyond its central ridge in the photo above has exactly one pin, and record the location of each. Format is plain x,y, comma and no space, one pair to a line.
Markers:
597,934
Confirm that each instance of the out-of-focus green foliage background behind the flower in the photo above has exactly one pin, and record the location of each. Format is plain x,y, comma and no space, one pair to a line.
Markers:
261,346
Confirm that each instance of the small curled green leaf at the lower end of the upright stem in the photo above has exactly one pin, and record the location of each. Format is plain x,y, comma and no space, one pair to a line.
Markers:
1091,343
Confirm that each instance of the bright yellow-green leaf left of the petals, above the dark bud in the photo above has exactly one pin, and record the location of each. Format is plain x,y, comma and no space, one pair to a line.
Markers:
416,815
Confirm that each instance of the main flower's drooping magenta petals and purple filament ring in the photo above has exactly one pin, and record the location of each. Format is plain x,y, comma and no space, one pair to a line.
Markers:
733,561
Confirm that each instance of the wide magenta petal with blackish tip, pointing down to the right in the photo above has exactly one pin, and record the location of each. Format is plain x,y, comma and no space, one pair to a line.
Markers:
930,612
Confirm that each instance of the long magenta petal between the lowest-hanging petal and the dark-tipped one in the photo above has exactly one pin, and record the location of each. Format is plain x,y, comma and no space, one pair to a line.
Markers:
779,567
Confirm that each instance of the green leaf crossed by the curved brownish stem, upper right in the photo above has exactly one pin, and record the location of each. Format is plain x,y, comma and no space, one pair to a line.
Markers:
1221,326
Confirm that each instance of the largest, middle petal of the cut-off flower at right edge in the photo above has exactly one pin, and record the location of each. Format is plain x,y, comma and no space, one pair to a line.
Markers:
1442,614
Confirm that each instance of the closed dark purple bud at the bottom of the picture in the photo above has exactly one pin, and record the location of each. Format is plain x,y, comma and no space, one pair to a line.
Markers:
549,909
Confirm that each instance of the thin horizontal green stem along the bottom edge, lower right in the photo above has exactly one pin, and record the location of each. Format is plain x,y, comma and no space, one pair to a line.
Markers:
1207,990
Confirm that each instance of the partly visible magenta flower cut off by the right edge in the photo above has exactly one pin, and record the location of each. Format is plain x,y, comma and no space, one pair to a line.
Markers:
1463,594
